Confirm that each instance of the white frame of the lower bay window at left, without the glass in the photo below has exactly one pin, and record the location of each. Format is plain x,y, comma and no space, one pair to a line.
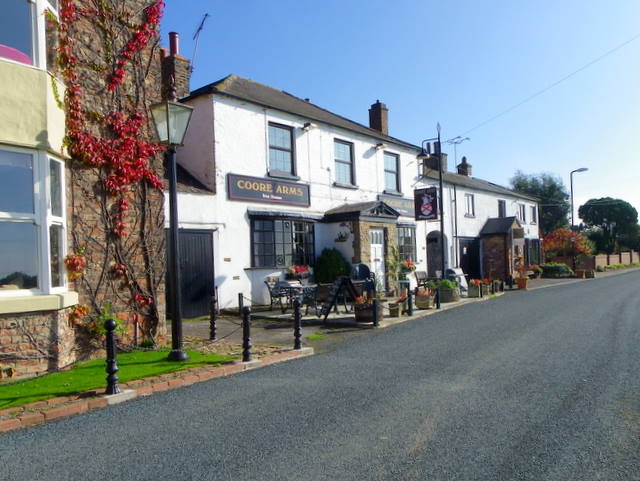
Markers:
42,218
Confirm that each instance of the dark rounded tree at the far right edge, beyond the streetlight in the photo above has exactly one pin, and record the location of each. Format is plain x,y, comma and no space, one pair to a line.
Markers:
612,222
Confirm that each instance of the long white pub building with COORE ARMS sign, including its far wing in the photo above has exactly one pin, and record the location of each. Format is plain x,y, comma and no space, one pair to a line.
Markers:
278,179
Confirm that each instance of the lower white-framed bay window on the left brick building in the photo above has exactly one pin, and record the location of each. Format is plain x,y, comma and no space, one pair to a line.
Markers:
32,222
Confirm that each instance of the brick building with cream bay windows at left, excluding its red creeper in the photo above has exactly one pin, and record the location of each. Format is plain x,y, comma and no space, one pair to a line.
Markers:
52,205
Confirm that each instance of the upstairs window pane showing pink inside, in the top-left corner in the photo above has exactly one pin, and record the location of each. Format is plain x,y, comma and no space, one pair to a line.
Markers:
16,38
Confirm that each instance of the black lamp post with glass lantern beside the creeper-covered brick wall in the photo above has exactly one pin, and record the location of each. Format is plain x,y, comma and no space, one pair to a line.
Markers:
171,119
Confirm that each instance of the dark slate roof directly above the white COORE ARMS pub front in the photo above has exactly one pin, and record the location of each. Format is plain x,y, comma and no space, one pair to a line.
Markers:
265,96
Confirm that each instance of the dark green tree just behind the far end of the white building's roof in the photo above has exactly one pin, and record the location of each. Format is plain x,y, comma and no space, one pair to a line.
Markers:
554,199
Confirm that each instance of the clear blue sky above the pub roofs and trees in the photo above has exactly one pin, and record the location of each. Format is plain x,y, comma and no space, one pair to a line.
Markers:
458,63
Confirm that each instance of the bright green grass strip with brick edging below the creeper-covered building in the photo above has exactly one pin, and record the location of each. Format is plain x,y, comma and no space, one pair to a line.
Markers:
91,375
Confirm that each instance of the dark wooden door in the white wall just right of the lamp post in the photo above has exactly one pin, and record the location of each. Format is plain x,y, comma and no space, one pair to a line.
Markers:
196,272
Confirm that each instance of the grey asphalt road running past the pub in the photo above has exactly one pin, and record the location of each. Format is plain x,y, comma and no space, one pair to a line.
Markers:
539,385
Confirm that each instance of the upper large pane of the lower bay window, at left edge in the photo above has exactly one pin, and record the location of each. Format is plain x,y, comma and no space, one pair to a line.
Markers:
16,182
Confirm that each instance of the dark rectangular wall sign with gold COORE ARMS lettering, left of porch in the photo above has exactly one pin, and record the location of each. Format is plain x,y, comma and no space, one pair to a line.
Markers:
256,189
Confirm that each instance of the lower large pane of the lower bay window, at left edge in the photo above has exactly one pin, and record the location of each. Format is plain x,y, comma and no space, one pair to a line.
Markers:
18,262
